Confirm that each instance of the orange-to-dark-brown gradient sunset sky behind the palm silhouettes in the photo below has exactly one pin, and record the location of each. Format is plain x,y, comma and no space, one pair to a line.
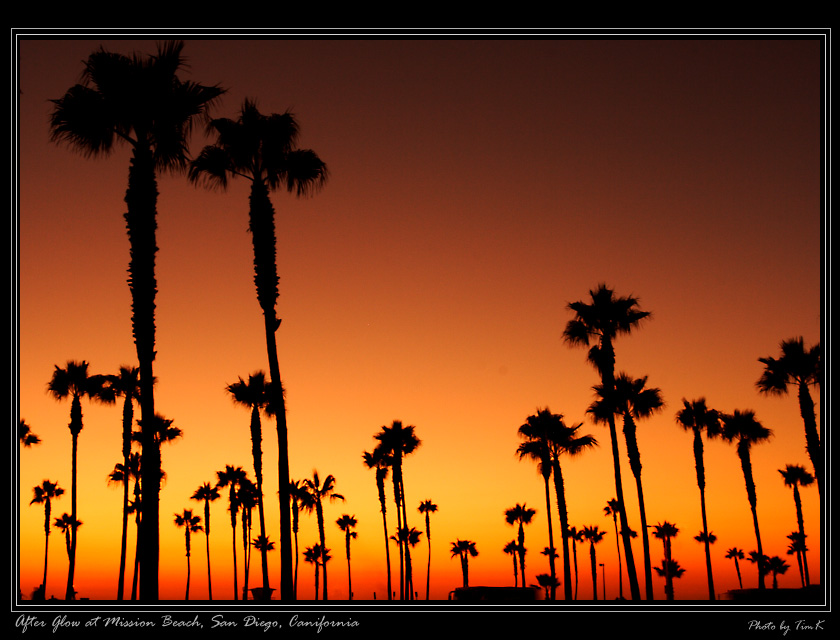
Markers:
477,187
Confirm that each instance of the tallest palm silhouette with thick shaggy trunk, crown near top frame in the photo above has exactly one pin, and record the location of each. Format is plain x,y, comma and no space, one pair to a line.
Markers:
139,101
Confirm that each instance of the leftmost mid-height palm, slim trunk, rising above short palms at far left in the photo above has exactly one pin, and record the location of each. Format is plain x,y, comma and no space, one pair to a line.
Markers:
75,382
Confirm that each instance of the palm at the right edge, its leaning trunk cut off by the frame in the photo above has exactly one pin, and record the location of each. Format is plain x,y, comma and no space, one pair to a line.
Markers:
798,367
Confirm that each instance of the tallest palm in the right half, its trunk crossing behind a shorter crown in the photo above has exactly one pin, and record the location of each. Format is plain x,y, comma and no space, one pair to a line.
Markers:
600,321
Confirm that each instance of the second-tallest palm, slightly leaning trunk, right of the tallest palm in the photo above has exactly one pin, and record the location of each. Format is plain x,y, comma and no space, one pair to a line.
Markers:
263,149
